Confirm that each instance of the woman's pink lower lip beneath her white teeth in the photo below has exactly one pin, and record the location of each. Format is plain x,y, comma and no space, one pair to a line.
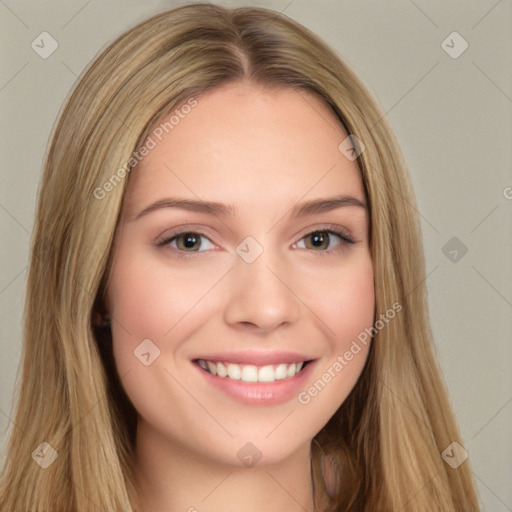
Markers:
260,393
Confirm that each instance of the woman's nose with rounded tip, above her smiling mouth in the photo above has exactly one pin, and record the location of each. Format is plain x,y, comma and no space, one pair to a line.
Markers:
261,295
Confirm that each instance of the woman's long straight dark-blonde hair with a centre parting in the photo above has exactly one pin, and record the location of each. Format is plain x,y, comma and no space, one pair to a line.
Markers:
388,435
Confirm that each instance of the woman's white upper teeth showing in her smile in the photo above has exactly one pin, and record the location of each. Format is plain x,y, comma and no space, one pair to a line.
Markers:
250,372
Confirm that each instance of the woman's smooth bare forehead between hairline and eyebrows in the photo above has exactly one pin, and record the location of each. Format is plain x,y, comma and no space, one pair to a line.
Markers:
242,143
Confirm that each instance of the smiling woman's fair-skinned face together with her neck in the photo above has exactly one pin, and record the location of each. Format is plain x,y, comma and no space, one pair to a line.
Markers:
306,297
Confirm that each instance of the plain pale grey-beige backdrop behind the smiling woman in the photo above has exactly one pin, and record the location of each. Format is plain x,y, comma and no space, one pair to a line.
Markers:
453,118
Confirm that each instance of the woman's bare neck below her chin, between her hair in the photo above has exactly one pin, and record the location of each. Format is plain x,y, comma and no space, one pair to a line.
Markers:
171,477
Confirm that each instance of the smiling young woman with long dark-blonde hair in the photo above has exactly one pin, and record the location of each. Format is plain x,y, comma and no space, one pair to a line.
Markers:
226,307
